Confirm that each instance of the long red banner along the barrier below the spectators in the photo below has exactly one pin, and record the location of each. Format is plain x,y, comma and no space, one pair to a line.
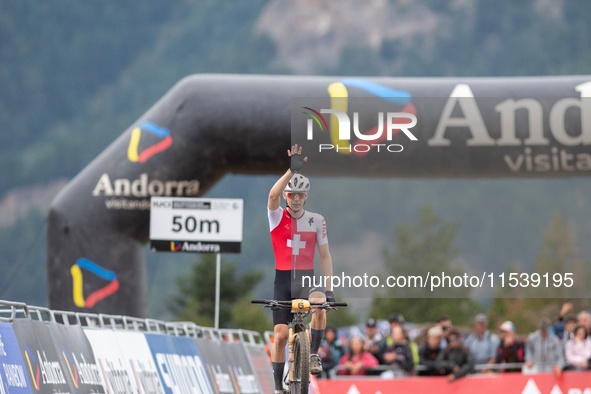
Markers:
508,383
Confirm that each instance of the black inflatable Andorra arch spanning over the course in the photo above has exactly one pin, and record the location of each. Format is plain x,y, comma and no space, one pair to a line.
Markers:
210,125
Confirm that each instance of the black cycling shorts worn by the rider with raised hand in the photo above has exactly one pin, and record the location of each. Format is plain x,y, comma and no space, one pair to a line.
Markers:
287,288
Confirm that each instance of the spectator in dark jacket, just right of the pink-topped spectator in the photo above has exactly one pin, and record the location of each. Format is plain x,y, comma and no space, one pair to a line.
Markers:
394,351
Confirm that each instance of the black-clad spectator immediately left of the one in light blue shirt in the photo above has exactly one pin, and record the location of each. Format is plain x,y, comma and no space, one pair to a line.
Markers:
455,360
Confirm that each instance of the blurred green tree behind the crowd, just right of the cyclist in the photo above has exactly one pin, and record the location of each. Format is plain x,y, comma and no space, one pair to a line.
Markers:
426,246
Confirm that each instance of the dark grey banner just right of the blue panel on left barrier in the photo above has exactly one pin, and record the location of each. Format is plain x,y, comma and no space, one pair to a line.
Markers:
228,367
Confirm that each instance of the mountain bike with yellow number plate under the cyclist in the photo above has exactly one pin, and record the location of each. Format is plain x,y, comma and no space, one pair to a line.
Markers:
298,343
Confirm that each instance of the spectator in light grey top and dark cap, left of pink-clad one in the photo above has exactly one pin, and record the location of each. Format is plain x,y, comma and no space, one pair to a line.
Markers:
543,350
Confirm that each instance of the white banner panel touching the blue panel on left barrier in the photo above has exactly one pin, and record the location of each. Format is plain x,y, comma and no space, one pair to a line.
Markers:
136,352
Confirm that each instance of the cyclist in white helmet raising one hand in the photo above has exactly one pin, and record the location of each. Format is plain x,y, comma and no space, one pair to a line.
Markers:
295,232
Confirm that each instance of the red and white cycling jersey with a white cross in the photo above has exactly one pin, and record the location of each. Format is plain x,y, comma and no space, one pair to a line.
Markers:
295,249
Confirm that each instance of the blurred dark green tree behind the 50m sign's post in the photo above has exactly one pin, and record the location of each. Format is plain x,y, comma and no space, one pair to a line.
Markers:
196,299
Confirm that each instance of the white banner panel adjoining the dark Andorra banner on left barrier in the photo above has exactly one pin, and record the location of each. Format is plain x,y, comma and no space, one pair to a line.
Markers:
116,374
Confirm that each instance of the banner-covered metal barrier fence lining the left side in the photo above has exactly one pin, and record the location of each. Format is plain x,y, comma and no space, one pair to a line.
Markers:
154,356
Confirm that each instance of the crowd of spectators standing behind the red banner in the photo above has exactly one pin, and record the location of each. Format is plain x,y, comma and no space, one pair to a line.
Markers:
564,345
